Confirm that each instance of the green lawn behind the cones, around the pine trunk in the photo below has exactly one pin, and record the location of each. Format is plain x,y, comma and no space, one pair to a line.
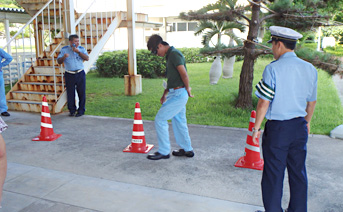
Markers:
212,104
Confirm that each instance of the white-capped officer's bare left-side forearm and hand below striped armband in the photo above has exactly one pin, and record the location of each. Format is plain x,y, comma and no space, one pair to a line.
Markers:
261,110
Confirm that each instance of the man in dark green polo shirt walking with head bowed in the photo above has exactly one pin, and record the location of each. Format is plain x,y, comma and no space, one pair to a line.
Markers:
173,104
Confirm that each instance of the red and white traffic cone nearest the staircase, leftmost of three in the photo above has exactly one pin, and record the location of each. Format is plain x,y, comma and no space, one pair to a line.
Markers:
46,130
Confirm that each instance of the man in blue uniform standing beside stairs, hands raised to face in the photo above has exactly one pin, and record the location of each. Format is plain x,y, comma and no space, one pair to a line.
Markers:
73,57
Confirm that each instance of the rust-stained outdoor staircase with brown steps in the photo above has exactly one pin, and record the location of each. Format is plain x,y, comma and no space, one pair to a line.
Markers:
45,77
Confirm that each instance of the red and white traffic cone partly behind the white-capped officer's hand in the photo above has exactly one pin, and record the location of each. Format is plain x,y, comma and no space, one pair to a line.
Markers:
252,158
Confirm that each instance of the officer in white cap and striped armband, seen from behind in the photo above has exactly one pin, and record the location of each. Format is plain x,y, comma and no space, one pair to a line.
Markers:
287,97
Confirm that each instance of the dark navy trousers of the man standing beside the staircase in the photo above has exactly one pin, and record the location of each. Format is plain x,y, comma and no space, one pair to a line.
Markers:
78,80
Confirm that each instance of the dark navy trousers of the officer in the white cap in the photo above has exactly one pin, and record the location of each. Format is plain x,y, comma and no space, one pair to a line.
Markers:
284,145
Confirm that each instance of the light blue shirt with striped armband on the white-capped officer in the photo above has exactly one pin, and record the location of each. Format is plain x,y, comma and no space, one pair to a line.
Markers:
288,83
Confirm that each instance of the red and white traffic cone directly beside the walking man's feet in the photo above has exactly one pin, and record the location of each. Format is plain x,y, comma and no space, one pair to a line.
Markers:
138,144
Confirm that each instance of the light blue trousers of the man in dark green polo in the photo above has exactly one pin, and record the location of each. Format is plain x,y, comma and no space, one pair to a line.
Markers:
173,108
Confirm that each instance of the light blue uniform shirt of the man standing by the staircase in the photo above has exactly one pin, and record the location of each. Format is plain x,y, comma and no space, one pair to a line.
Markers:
74,62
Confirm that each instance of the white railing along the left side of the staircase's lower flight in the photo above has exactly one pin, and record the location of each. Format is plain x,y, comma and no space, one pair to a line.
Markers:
24,58
